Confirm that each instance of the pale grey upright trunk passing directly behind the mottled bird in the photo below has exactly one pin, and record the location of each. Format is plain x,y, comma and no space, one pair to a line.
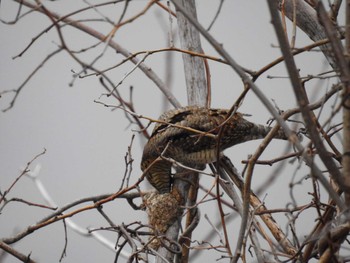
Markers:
197,94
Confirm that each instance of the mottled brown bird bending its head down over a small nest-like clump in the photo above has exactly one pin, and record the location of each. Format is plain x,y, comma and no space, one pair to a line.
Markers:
191,136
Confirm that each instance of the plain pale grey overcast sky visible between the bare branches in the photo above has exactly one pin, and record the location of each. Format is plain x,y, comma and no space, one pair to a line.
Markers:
86,143
